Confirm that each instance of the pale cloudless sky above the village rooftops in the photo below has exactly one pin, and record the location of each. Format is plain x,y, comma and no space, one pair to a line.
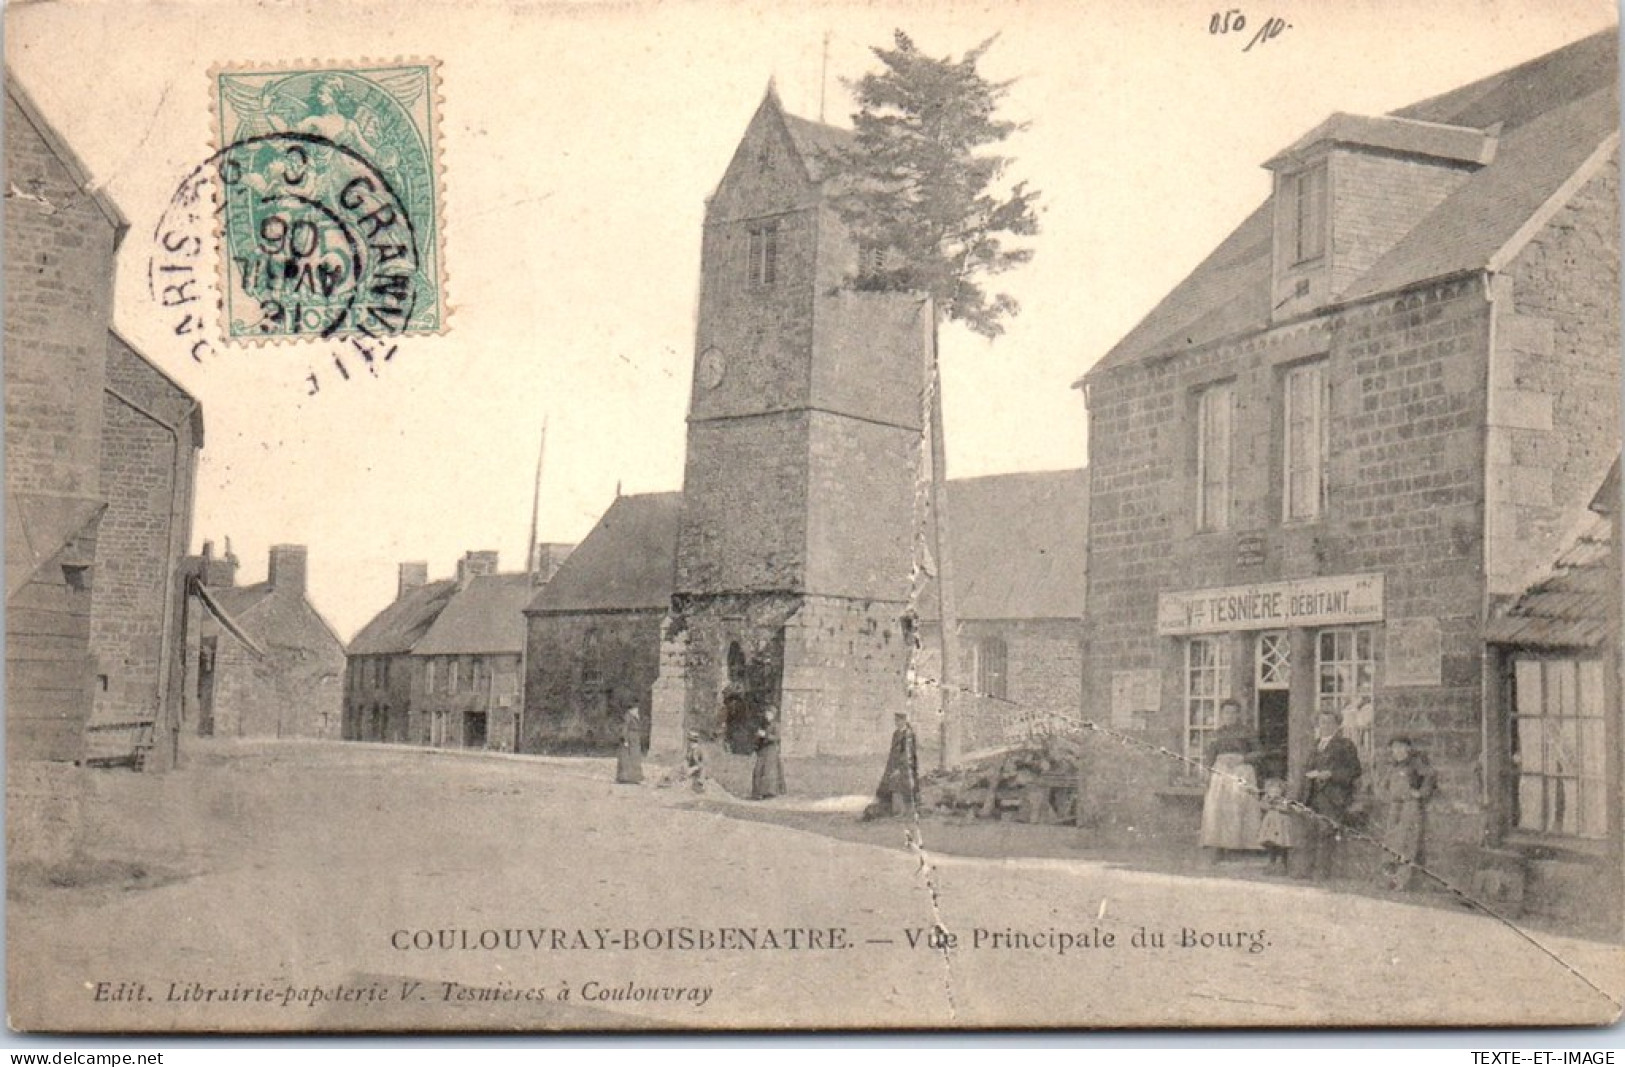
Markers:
579,144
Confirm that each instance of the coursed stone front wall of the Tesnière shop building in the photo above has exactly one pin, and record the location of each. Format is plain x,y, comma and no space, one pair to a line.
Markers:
1405,499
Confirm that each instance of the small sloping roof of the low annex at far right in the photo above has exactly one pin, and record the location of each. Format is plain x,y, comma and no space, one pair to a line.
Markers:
1571,607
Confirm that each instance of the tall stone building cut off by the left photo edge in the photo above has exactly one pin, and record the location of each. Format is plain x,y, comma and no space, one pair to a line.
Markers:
100,469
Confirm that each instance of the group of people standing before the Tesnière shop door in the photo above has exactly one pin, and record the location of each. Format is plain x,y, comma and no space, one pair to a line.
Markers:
1302,831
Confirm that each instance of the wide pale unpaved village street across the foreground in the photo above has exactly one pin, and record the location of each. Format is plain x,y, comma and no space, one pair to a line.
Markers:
331,886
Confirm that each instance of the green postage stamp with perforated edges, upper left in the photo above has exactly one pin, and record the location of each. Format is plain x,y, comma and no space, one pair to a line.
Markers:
331,218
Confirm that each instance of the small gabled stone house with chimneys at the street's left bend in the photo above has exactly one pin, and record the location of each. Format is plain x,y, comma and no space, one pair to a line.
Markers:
262,660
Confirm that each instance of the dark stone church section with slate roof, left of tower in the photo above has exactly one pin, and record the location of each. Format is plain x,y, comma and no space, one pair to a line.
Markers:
592,646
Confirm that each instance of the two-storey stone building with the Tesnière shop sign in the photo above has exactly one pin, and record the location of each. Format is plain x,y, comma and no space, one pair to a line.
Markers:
1330,452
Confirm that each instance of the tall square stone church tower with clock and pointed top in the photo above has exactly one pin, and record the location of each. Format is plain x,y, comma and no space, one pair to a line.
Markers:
804,447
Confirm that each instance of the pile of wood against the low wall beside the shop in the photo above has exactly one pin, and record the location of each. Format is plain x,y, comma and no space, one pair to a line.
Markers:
1028,784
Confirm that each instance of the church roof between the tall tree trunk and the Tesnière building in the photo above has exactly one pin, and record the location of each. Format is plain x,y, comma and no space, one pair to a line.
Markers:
1018,546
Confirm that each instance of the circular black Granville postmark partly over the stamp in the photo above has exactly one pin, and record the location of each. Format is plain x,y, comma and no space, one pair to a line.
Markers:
313,243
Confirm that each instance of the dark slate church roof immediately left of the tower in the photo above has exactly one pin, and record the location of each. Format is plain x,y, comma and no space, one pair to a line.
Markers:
628,563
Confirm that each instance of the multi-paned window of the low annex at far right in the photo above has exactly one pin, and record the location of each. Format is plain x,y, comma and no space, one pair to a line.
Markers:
1558,748
